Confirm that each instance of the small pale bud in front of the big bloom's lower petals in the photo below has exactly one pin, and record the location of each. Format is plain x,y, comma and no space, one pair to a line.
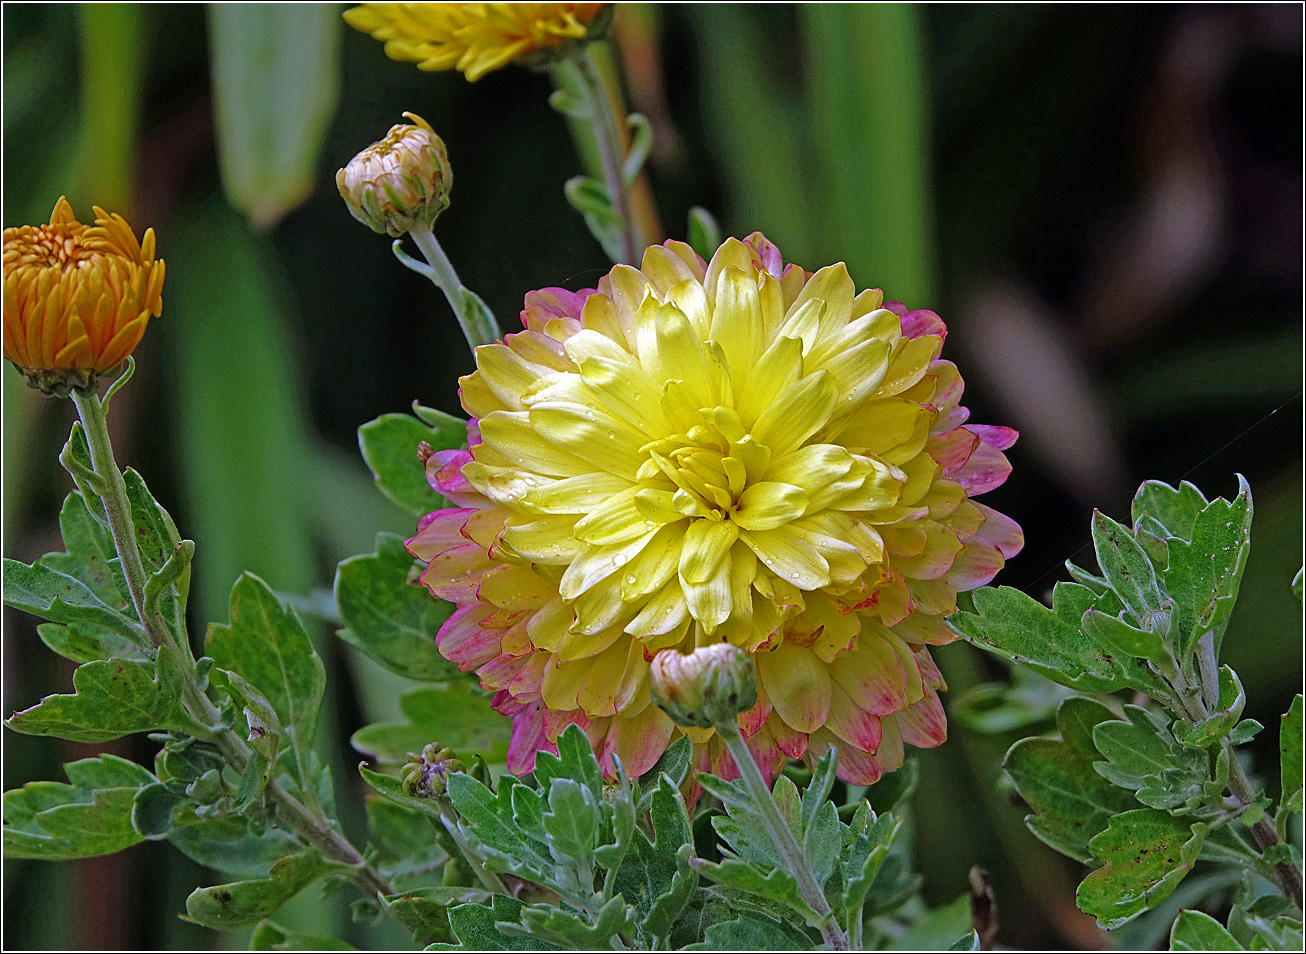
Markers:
706,688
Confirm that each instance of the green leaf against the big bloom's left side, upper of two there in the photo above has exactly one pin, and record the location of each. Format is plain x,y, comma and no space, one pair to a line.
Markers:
390,448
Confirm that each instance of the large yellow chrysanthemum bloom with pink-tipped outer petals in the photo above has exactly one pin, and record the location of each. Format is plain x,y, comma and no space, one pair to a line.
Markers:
699,453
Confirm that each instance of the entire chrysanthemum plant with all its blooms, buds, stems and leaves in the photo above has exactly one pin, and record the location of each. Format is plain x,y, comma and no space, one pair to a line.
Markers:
672,589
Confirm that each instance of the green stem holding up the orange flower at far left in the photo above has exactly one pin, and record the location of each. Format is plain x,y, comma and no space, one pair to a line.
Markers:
113,491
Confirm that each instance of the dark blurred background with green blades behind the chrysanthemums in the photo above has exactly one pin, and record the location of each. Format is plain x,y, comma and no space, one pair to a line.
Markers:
1104,203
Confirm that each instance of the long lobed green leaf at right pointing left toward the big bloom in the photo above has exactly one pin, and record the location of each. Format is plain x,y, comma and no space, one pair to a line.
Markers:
1023,631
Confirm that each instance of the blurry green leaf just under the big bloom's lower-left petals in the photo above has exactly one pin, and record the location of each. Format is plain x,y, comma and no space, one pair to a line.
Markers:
458,718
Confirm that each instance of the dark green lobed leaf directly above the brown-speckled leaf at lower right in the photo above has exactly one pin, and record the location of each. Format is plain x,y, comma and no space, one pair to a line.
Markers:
1056,777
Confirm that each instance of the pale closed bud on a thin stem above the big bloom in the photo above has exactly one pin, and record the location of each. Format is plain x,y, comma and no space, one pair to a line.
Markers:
400,182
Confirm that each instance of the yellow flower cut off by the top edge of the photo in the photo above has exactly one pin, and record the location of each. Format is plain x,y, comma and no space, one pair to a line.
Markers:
473,39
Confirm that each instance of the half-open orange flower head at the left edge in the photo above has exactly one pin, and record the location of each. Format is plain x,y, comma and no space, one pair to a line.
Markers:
78,297
